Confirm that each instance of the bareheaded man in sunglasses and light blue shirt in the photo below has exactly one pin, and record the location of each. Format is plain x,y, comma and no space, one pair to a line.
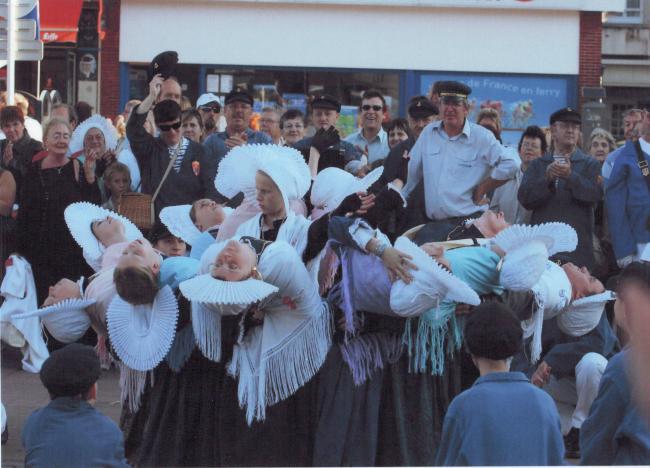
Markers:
371,139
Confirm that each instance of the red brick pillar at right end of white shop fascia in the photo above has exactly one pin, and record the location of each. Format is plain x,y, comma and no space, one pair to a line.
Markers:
590,50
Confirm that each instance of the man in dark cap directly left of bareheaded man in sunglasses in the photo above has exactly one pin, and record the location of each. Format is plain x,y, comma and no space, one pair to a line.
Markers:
330,150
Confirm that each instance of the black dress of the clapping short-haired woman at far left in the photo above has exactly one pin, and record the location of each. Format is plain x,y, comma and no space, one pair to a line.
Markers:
44,237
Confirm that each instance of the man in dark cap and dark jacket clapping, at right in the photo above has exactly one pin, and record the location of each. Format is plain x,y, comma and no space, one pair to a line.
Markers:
565,186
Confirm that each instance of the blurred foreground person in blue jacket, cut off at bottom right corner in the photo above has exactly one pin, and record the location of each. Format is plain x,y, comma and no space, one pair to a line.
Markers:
615,433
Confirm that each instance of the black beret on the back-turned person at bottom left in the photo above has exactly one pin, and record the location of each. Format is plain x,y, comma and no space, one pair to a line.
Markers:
70,371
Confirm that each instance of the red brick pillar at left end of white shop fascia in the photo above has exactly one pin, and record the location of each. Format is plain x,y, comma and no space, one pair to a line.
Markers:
110,61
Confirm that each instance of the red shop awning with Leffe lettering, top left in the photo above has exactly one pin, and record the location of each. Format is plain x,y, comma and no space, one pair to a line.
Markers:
59,20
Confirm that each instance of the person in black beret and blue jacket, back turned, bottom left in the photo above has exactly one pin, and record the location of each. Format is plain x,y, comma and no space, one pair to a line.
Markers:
69,431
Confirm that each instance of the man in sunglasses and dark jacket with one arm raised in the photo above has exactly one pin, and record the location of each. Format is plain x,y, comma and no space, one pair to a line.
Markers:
191,176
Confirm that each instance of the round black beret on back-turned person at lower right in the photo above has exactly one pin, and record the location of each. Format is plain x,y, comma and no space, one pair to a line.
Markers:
493,332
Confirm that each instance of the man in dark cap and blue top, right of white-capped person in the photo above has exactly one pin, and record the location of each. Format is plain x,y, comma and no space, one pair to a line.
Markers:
238,111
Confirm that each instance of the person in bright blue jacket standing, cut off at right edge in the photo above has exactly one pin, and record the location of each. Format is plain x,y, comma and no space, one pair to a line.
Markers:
627,200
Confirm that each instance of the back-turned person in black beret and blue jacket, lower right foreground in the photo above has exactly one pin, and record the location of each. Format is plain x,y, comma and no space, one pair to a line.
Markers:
502,419
